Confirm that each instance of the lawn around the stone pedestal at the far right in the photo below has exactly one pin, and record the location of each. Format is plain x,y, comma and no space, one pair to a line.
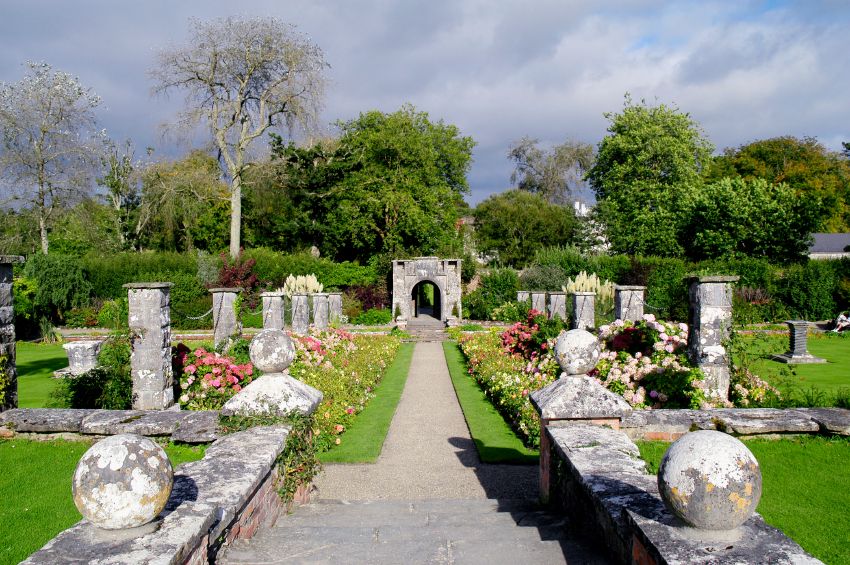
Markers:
828,377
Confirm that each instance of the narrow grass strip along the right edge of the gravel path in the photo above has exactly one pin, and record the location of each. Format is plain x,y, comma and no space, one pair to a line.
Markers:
495,440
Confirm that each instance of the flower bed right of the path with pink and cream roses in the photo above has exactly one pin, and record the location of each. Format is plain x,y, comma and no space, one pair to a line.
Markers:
644,361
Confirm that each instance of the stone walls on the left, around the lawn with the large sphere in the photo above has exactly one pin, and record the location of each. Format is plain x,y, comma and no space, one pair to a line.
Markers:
227,495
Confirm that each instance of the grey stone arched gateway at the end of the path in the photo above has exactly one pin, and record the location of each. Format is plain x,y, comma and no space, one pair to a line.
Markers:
426,287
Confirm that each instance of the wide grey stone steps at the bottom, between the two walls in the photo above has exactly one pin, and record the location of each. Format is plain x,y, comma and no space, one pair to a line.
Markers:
422,531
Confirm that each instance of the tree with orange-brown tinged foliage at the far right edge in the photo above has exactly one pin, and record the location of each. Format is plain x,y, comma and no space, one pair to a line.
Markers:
805,165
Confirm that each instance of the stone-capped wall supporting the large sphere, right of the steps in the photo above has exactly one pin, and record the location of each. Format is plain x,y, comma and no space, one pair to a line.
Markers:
602,484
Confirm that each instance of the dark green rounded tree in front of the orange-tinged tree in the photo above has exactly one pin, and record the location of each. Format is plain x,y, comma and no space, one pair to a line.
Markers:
734,217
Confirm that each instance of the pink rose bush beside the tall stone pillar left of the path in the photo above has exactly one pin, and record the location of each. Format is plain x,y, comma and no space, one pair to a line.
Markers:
207,379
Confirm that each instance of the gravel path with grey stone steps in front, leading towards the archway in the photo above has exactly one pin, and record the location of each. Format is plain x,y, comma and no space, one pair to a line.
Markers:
428,499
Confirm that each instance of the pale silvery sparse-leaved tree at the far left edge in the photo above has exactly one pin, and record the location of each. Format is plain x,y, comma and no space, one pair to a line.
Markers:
50,143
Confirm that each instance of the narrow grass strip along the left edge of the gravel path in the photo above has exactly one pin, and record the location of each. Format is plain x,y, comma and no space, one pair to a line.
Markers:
364,439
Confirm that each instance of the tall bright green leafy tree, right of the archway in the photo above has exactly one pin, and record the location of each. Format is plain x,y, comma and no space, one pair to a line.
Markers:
646,170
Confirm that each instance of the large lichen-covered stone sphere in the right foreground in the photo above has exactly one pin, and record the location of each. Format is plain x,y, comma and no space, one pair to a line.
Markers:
710,480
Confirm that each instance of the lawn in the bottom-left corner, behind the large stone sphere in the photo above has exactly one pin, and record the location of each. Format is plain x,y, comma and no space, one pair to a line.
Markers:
36,491
